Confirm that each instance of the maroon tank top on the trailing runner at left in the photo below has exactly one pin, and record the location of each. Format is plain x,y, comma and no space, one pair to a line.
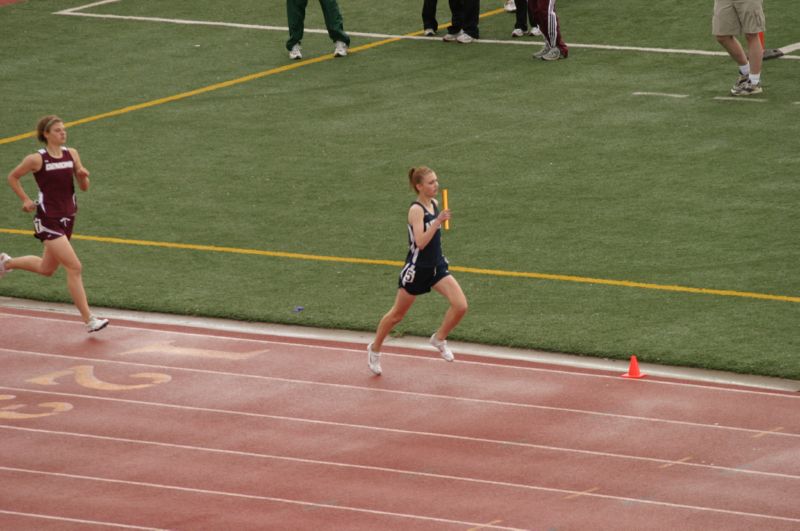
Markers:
56,185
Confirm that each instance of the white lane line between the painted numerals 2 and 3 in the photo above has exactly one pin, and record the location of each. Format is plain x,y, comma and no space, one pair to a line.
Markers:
399,431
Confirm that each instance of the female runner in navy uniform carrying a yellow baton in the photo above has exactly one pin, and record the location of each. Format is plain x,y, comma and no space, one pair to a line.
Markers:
425,268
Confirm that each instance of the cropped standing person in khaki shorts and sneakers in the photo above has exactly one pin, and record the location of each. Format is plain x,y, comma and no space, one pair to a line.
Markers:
731,19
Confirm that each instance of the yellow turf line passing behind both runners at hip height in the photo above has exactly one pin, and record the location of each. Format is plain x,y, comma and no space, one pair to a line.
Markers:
397,263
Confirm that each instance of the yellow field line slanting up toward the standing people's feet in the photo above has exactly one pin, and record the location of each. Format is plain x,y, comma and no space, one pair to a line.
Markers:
224,84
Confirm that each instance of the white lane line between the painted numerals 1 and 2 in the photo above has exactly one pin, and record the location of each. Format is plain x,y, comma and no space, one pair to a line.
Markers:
415,394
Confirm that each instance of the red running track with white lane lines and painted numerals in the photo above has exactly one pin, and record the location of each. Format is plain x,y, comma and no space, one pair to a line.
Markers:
146,426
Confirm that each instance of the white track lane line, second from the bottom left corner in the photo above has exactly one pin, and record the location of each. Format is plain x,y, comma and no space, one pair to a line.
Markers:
261,498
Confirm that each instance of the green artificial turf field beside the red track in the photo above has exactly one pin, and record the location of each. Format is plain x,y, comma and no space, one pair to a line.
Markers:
553,168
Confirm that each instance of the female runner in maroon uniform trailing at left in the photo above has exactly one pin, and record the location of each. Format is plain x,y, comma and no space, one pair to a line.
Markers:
54,167
